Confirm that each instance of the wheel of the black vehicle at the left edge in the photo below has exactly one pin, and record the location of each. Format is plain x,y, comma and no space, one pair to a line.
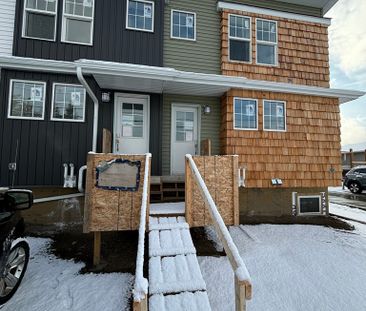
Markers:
15,268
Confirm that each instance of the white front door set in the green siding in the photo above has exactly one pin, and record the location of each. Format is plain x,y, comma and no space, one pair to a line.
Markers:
184,136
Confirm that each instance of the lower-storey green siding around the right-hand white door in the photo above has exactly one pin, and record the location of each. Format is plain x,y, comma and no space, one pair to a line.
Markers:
210,124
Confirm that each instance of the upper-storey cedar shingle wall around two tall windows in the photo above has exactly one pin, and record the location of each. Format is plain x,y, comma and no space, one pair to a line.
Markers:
303,54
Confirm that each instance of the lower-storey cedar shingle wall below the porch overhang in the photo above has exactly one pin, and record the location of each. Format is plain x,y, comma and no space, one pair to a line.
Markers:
307,154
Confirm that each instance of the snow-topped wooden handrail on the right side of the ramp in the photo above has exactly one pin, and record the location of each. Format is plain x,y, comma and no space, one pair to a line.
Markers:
243,283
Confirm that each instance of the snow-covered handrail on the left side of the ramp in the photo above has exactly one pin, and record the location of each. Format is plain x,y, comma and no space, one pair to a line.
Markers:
141,285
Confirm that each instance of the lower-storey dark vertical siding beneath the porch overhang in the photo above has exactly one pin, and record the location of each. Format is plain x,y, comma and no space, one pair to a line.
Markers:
45,145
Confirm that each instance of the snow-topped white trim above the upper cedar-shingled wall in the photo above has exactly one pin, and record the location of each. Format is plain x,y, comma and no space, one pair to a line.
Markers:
261,11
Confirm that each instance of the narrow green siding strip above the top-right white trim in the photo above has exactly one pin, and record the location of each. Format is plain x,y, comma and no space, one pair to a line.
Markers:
282,6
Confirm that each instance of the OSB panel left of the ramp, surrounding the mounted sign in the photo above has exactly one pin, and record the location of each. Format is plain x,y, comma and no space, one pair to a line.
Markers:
111,210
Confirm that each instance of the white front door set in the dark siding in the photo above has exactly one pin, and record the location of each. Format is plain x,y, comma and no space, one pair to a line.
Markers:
131,124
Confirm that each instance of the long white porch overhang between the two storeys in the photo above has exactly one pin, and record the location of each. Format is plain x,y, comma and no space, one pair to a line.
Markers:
163,80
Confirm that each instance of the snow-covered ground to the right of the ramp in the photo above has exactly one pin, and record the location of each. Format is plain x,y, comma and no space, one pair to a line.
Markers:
293,267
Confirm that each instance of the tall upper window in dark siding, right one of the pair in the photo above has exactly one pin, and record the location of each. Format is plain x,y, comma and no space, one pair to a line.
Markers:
77,21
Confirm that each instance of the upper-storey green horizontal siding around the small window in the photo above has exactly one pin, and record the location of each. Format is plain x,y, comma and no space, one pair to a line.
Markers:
202,55
